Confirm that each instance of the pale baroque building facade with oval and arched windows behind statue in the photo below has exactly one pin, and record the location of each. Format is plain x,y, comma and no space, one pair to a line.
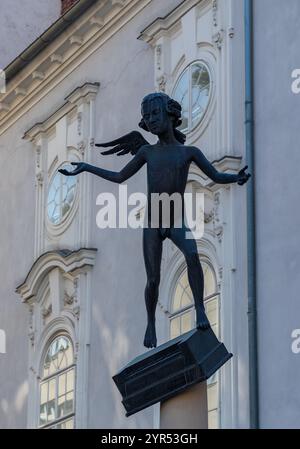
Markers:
72,304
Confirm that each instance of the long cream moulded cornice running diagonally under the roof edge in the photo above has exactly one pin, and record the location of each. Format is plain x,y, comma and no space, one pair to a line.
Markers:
62,56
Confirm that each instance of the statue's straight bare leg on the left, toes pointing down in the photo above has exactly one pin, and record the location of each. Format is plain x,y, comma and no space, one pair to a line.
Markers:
152,247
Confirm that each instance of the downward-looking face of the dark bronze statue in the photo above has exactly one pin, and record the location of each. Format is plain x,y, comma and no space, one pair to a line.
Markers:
155,116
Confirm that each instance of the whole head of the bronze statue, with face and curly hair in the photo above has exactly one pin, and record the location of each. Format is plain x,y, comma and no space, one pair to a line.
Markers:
159,111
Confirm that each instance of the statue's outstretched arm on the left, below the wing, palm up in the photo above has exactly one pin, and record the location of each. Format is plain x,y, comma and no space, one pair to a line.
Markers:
129,170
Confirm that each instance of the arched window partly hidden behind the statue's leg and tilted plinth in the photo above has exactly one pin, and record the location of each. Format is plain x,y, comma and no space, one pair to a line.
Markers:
183,319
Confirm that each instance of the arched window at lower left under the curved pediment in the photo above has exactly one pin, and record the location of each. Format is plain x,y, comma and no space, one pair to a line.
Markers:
57,385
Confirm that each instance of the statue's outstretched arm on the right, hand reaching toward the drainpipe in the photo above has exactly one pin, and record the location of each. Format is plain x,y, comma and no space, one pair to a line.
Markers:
218,177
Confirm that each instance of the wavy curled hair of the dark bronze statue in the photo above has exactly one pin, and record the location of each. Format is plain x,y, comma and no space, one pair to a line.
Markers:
173,108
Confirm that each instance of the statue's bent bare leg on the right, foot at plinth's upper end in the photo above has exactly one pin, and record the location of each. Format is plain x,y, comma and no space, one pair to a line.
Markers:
195,272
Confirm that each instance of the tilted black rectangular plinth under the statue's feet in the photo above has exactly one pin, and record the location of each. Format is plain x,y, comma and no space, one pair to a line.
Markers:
170,369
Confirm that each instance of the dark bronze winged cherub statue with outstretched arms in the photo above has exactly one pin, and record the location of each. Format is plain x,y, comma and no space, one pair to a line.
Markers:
168,163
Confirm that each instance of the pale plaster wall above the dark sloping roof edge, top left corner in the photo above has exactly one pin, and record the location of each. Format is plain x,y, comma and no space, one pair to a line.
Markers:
21,22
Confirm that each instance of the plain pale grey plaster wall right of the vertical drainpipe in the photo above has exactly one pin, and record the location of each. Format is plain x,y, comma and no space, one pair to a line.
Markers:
277,36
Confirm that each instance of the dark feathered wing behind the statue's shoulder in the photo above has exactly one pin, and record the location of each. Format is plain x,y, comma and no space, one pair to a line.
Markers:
130,143
